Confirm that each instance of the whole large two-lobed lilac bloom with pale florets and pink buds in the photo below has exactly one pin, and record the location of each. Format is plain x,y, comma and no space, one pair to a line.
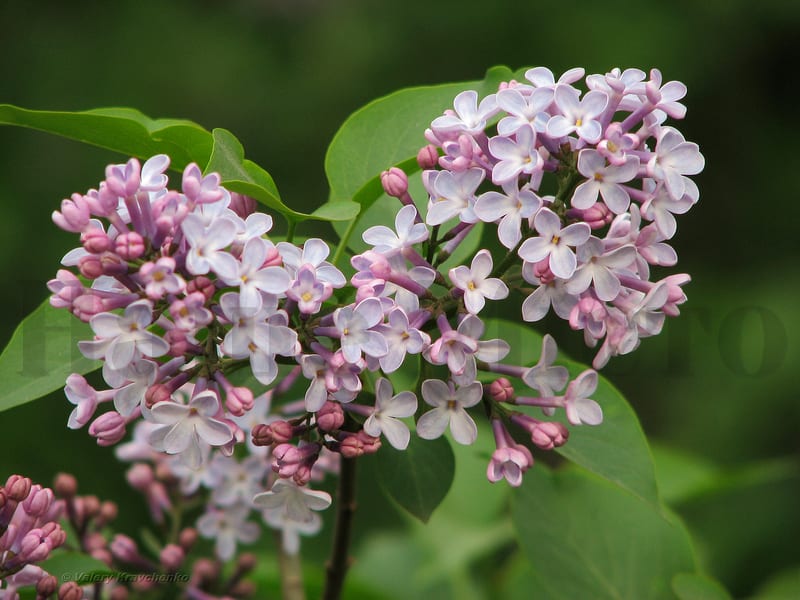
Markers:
184,288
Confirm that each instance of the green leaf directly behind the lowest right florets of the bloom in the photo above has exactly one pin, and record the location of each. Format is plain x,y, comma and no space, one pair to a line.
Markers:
617,449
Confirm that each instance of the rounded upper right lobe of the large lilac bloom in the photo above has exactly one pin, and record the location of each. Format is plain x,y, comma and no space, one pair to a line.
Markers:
587,239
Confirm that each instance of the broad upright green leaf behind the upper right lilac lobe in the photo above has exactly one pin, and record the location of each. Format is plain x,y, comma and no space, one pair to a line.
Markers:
389,132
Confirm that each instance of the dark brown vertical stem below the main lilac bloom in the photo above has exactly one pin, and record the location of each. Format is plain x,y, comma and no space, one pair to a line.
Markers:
339,562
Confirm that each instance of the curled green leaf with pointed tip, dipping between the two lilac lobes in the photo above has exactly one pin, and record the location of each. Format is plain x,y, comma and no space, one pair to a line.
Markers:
246,177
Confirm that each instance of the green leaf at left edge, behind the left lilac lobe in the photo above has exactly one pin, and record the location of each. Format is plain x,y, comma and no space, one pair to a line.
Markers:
41,354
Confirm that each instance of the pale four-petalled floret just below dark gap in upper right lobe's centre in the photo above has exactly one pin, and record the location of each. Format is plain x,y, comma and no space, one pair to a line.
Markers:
554,243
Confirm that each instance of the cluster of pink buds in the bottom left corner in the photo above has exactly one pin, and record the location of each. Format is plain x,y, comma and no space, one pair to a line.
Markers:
29,532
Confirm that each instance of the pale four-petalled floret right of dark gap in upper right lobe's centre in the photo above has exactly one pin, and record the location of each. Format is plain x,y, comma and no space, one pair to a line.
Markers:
603,180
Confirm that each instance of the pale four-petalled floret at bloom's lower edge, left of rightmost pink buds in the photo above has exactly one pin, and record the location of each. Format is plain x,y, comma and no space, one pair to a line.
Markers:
449,411
